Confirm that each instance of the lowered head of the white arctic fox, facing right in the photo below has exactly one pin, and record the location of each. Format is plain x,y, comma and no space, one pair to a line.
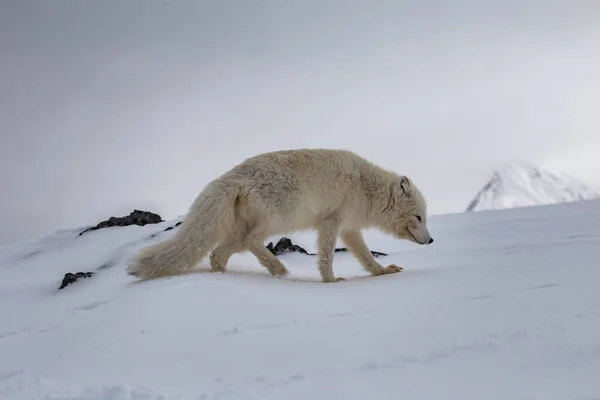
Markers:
406,213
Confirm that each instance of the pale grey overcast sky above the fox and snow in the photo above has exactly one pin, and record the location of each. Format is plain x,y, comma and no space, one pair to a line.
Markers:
111,105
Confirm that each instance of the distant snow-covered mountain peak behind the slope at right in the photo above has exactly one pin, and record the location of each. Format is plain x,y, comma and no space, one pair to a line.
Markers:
524,184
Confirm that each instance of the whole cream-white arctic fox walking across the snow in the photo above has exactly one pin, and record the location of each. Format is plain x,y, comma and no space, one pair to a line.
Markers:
334,192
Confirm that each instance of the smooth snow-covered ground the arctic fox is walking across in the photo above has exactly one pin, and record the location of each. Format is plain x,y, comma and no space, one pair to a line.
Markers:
504,305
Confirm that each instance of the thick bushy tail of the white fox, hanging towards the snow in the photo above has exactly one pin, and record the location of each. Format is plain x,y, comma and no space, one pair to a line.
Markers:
209,217
